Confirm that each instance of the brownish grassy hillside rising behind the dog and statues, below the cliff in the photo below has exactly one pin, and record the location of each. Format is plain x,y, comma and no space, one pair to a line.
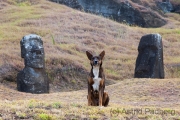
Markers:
68,33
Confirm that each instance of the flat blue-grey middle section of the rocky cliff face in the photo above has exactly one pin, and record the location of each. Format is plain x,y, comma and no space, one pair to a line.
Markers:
121,12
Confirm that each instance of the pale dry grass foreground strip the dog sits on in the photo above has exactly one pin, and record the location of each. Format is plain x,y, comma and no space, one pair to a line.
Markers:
157,99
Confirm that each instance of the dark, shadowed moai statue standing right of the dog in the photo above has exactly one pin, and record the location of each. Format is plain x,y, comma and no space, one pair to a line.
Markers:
149,63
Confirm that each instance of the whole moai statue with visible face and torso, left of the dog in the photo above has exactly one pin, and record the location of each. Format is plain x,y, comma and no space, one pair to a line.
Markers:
33,78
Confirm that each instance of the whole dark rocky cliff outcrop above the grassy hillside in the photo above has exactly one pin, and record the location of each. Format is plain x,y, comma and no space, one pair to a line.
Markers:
127,11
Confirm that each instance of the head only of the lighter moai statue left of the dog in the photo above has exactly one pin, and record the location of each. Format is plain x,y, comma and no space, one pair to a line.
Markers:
32,51
